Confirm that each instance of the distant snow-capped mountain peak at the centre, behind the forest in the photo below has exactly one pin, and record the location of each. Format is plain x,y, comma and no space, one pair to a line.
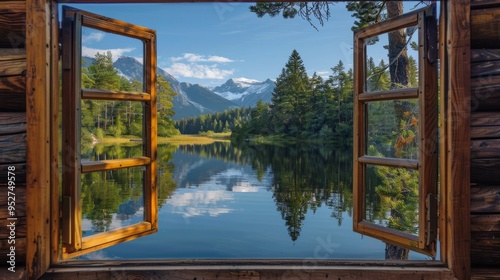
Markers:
246,92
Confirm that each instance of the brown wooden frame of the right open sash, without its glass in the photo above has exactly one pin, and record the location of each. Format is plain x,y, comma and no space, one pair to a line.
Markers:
426,164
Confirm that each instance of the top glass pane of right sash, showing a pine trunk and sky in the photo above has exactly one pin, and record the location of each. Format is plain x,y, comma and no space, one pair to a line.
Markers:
395,65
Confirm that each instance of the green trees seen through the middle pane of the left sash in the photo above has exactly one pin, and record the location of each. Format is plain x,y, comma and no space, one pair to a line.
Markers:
103,120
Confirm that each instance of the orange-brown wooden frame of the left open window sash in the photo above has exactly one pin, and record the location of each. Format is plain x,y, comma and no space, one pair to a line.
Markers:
75,240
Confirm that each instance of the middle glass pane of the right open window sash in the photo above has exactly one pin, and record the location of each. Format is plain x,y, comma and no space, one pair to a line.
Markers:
392,129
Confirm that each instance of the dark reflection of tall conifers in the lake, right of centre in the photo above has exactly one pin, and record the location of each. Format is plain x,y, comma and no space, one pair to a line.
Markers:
306,177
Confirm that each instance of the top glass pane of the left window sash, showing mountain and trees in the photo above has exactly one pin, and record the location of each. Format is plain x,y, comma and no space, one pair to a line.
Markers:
111,62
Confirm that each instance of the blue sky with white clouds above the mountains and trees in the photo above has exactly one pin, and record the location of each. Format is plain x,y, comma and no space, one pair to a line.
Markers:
208,43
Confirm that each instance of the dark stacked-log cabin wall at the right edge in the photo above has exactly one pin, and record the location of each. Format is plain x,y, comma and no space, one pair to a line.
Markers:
485,133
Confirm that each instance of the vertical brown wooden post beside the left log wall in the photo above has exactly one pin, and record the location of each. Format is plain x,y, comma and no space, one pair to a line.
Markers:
38,80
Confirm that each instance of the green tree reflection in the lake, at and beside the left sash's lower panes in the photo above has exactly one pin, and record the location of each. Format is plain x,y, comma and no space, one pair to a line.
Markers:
120,191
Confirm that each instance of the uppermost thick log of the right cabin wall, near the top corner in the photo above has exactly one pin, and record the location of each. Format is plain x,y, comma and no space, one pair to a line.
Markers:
485,27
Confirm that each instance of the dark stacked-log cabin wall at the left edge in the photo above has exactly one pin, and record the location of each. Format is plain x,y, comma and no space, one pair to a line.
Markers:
13,127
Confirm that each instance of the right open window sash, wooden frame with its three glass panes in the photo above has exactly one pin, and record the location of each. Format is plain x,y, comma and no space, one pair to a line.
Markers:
395,135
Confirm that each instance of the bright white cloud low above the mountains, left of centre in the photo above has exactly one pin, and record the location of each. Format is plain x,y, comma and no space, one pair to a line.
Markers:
200,71
